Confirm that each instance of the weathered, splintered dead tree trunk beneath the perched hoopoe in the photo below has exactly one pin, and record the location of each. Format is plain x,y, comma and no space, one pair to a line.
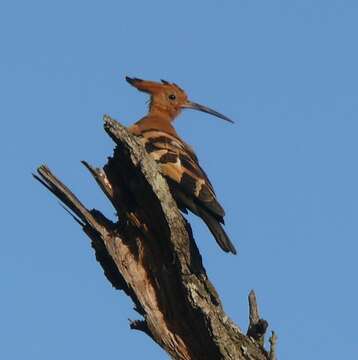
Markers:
150,253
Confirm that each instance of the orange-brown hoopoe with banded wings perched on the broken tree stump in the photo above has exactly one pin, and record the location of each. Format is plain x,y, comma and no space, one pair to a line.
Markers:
187,181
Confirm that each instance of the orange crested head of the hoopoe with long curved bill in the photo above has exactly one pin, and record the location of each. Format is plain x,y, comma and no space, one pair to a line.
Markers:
169,98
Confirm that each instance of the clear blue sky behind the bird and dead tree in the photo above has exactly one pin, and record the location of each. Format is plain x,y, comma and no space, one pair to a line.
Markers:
286,173
